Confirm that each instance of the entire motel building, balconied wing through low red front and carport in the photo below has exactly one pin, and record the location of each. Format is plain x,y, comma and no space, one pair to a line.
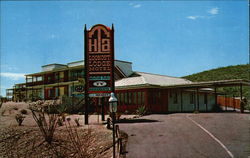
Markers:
158,93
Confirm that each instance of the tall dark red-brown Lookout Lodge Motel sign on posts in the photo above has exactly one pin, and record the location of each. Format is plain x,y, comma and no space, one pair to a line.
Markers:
99,63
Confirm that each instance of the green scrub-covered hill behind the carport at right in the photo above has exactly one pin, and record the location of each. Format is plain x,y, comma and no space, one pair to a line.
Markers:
225,73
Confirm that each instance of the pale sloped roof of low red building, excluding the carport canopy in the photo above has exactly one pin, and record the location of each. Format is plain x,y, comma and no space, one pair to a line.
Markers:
148,79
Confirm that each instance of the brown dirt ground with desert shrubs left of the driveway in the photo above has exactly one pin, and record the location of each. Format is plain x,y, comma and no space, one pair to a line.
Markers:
93,140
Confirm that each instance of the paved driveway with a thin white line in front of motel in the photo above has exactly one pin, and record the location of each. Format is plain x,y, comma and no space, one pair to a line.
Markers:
211,135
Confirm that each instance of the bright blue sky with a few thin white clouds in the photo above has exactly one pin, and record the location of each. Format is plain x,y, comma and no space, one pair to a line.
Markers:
174,38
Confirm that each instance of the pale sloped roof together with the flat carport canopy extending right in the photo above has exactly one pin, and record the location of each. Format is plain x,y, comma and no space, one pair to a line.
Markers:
142,79
